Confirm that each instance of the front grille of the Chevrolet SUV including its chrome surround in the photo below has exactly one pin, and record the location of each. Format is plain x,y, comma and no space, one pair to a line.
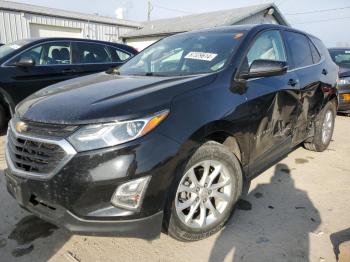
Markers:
29,155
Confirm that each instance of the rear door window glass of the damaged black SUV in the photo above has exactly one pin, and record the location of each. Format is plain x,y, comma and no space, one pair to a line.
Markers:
300,49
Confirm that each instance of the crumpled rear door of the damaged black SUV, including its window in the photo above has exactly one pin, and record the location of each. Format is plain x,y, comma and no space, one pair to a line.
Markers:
310,70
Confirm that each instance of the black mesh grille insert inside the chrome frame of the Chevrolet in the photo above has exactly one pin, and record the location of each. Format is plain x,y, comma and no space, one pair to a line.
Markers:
33,156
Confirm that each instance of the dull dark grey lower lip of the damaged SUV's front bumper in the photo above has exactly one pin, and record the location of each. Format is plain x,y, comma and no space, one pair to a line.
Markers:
146,227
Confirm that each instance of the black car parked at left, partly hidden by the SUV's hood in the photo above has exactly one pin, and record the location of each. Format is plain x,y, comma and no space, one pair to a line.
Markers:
31,64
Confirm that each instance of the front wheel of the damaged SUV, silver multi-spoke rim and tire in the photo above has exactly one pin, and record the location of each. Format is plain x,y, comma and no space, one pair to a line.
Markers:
204,194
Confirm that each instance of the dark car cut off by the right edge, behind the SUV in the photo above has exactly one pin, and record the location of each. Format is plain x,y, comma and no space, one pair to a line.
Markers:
341,56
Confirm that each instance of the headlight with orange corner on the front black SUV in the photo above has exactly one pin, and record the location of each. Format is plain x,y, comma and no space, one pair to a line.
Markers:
110,134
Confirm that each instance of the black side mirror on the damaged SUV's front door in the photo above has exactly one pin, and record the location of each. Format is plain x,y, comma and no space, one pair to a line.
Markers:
264,68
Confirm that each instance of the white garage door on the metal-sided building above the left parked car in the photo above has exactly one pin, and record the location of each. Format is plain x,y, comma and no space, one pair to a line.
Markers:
37,30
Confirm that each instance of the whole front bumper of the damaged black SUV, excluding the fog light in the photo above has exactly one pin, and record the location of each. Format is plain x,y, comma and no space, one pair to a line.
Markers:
78,196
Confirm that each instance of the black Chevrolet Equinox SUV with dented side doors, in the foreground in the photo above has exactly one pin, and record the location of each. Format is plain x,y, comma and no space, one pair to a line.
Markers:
174,137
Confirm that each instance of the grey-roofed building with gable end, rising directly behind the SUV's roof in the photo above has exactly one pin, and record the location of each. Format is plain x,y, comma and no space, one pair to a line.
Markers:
154,30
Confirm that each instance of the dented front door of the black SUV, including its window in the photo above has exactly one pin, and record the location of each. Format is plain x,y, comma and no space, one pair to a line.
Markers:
273,102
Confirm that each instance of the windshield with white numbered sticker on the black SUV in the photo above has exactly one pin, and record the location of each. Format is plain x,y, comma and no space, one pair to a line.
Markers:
184,54
